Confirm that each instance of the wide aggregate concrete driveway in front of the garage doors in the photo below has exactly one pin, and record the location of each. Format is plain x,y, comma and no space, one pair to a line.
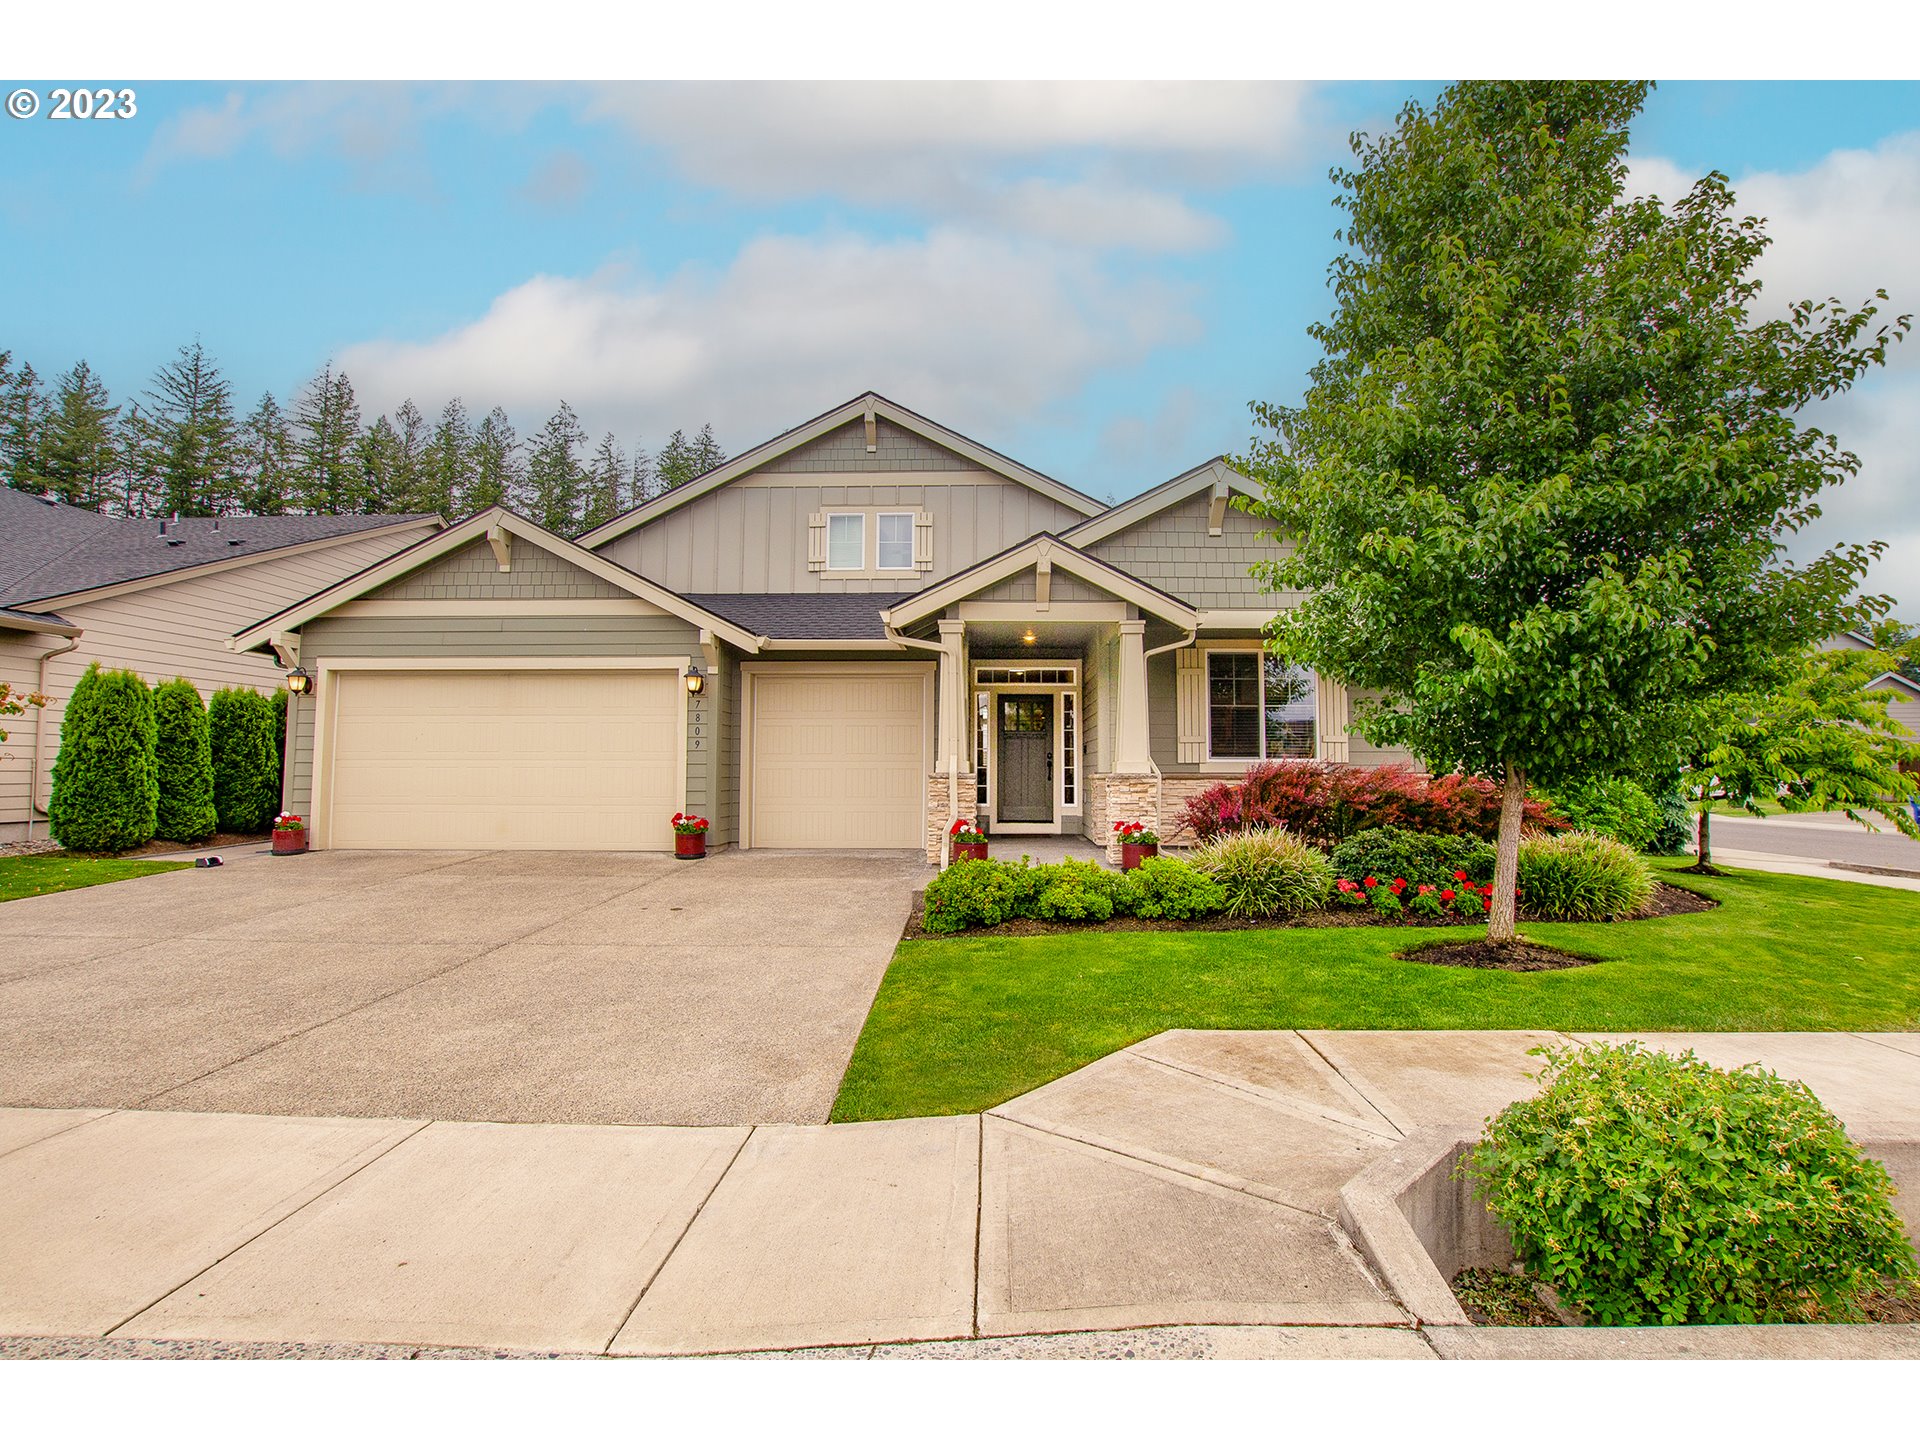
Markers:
456,986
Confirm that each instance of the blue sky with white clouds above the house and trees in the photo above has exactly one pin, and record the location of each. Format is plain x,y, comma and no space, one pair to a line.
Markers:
1095,279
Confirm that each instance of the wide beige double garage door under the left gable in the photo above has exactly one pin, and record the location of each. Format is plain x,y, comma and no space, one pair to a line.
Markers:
504,759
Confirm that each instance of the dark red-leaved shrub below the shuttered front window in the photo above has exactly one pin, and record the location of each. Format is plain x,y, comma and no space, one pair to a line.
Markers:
1328,804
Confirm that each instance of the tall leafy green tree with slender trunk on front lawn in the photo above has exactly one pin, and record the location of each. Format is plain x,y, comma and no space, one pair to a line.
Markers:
1541,481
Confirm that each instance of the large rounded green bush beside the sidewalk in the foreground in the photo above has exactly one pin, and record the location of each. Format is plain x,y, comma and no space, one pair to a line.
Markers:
1652,1189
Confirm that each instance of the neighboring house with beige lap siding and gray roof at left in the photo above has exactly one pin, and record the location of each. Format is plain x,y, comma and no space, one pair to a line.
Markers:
151,596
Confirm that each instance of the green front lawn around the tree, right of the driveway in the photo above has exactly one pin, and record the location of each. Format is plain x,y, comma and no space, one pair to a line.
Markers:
963,1024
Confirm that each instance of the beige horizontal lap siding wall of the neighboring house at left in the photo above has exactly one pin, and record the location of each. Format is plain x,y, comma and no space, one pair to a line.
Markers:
166,631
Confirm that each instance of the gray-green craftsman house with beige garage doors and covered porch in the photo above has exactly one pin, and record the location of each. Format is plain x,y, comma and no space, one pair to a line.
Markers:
846,638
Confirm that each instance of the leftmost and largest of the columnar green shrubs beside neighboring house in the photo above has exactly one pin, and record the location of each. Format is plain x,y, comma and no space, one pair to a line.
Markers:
105,792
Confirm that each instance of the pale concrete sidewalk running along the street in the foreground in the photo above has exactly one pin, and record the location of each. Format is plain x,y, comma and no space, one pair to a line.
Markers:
1174,1199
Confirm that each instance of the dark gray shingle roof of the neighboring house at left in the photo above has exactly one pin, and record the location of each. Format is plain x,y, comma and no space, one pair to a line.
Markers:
51,550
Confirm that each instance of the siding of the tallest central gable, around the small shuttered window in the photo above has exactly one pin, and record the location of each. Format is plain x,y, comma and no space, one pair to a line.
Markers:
750,537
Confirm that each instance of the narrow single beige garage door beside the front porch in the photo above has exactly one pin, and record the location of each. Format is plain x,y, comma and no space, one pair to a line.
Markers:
840,759
